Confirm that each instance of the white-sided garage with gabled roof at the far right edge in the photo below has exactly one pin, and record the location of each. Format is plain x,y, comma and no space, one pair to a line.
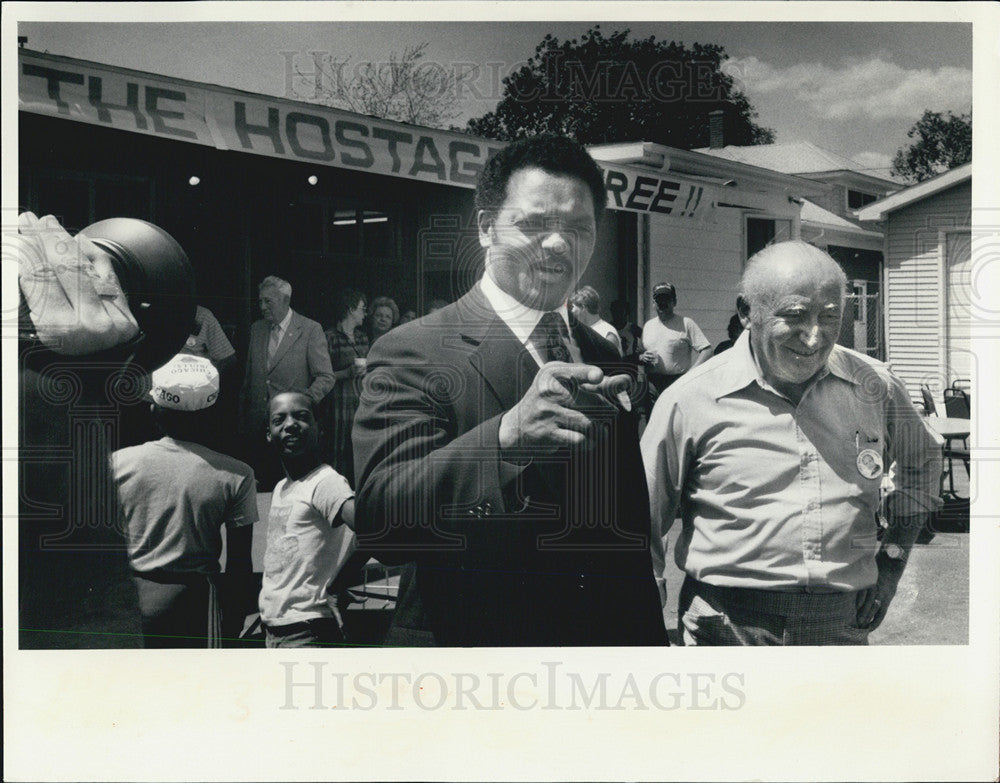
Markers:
928,243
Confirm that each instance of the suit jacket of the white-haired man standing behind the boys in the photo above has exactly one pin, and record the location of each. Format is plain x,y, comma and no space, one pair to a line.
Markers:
301,363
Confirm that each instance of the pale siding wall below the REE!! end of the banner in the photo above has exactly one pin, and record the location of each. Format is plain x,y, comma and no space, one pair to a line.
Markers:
704,261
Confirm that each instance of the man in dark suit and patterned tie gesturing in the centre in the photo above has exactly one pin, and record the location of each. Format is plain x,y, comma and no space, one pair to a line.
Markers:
495,445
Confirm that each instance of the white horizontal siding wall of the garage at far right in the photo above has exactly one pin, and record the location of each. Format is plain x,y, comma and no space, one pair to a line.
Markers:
914,298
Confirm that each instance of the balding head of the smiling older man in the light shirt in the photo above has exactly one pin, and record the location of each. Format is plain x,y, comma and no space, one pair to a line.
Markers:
793,295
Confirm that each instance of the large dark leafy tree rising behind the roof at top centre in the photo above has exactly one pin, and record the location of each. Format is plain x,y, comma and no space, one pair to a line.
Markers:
601,89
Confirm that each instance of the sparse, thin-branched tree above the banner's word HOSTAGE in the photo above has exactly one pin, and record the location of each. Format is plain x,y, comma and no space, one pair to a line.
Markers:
403,89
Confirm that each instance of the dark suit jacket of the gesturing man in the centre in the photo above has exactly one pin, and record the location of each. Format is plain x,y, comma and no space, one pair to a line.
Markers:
552,552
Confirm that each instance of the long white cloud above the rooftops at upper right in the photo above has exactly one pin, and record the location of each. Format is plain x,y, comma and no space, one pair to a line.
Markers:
874,88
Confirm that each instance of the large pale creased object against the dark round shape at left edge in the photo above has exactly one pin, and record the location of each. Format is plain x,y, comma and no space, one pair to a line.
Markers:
73,295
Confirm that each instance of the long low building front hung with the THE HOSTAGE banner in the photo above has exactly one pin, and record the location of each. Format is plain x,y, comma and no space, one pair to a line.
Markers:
253,185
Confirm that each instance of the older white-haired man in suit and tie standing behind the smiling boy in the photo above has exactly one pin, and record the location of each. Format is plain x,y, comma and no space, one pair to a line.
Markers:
287,352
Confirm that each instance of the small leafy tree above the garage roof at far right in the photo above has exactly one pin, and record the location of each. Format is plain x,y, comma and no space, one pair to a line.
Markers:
942,142
